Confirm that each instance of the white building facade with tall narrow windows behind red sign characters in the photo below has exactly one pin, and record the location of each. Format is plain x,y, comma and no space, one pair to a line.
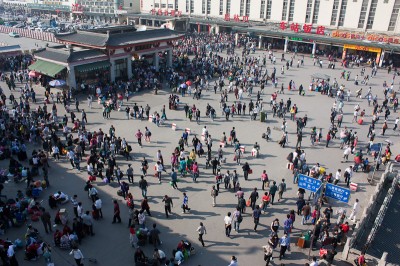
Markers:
361,15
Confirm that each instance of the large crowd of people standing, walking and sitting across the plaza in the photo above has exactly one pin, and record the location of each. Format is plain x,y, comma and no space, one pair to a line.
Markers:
202,62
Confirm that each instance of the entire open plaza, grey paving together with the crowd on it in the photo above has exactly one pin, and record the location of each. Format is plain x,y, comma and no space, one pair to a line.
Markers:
170,166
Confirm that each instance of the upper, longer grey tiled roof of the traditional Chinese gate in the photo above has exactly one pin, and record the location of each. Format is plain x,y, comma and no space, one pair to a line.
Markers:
104,40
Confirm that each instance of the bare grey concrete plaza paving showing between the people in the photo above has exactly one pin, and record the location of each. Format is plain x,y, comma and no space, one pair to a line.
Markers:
110,245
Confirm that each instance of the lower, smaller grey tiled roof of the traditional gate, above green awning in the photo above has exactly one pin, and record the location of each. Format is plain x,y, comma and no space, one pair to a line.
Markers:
68,56
